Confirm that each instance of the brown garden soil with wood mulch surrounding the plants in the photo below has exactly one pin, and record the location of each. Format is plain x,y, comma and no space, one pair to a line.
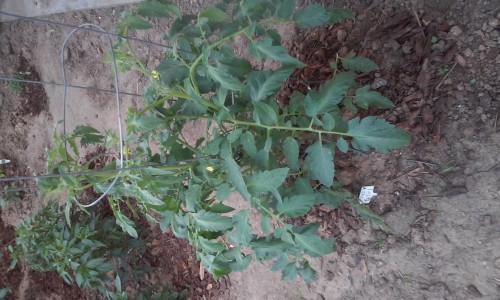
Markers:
440,196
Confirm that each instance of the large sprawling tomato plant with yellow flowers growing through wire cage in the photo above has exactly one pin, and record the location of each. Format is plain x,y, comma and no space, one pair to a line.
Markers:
278,156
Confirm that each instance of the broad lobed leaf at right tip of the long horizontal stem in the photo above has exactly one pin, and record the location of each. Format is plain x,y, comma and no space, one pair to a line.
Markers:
375,133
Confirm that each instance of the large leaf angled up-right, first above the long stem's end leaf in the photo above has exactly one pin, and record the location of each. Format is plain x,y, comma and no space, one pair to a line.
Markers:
329,95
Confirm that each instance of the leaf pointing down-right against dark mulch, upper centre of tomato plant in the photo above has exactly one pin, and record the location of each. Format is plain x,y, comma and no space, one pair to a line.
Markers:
265,49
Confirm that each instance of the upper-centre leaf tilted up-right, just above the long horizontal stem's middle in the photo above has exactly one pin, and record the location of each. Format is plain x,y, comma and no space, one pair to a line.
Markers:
262,84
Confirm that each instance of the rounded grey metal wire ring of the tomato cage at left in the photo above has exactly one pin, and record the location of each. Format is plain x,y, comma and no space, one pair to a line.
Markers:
117,93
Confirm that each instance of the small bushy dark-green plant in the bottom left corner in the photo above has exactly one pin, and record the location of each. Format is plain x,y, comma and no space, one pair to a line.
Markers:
83,253
